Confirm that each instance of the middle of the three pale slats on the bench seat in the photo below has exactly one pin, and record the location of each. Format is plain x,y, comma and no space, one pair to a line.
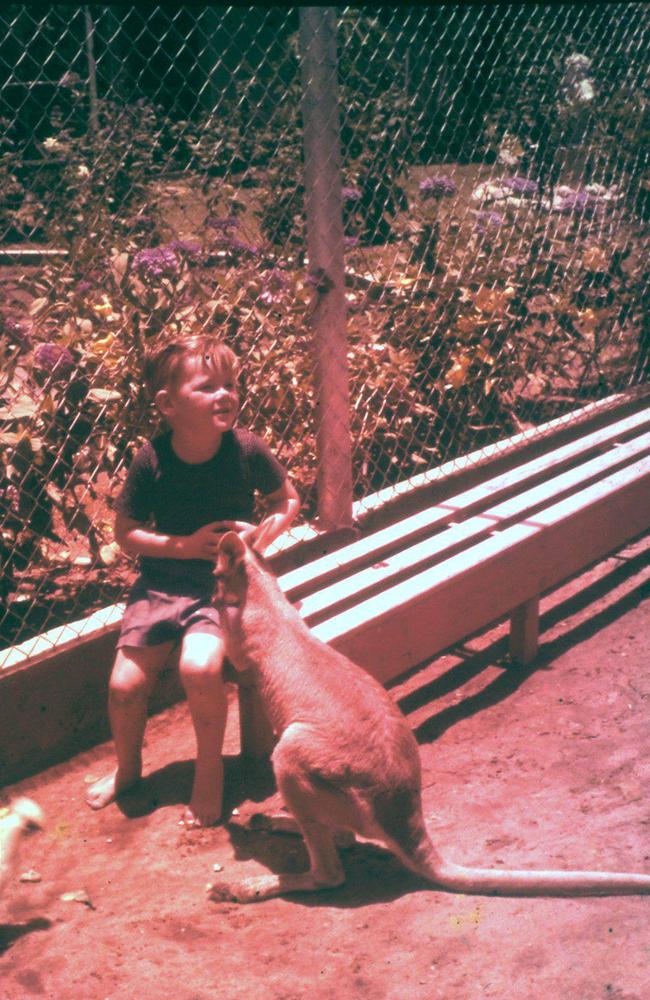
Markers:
407,561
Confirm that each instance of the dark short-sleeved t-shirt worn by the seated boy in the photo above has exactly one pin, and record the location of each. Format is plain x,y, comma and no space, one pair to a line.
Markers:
180,498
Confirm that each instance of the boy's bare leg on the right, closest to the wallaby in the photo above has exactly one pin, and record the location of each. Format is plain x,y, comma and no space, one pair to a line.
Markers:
200,668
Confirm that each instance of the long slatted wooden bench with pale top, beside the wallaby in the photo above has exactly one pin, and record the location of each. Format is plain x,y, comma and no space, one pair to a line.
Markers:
404,593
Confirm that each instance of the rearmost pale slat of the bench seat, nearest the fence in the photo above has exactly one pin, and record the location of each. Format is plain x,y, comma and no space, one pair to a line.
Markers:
319,572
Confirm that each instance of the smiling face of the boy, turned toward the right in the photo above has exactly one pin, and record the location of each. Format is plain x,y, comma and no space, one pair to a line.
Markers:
202,400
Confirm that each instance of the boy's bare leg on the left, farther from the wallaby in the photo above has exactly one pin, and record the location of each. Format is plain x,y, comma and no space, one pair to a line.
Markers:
132,680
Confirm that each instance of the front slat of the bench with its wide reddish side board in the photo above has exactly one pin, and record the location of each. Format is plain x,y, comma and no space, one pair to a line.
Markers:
418,618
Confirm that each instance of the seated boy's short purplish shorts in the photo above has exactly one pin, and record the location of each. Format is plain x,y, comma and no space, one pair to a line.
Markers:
152,617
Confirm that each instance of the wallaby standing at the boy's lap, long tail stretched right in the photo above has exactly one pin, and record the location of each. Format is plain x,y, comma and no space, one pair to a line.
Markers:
346,759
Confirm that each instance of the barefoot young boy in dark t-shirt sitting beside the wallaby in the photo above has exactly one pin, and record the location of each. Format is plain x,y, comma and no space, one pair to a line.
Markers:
183,489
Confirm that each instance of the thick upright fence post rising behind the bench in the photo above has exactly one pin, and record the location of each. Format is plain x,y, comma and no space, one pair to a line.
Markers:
322,173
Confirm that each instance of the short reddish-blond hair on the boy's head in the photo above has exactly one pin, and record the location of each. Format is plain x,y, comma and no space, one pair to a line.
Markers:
162,364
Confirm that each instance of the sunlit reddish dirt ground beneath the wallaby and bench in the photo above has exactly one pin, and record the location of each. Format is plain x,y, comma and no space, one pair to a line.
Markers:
536,767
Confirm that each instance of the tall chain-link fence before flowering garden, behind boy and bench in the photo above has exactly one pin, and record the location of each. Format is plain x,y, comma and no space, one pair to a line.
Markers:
483,176
